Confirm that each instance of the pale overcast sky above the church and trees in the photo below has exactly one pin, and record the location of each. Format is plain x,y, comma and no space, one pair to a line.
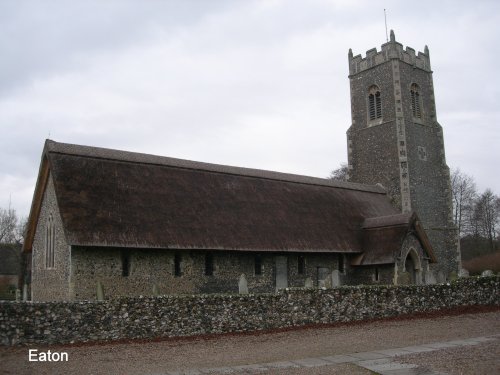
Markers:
260,84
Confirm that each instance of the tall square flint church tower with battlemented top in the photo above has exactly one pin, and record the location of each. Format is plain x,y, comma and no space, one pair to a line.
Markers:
395,140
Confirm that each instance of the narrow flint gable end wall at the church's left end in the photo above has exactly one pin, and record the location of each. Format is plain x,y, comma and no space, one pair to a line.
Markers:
50,283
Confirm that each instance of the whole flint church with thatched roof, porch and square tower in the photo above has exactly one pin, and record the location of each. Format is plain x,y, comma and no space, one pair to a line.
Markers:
106,223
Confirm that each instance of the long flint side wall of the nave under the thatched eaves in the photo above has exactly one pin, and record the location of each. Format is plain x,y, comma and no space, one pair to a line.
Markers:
150,268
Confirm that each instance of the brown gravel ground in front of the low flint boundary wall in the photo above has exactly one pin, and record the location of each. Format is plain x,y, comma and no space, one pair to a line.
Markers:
184,354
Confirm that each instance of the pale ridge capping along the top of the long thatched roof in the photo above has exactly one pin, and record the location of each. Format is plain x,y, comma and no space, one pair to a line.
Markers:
142,158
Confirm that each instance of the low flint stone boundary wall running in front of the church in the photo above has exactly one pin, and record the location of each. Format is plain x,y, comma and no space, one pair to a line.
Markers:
173,316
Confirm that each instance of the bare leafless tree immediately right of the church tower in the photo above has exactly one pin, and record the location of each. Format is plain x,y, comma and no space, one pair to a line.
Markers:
464,193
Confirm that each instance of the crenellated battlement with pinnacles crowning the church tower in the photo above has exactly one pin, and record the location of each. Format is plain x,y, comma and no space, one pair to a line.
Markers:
390,50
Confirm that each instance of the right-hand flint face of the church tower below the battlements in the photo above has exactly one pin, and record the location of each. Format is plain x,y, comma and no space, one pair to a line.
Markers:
429,175
